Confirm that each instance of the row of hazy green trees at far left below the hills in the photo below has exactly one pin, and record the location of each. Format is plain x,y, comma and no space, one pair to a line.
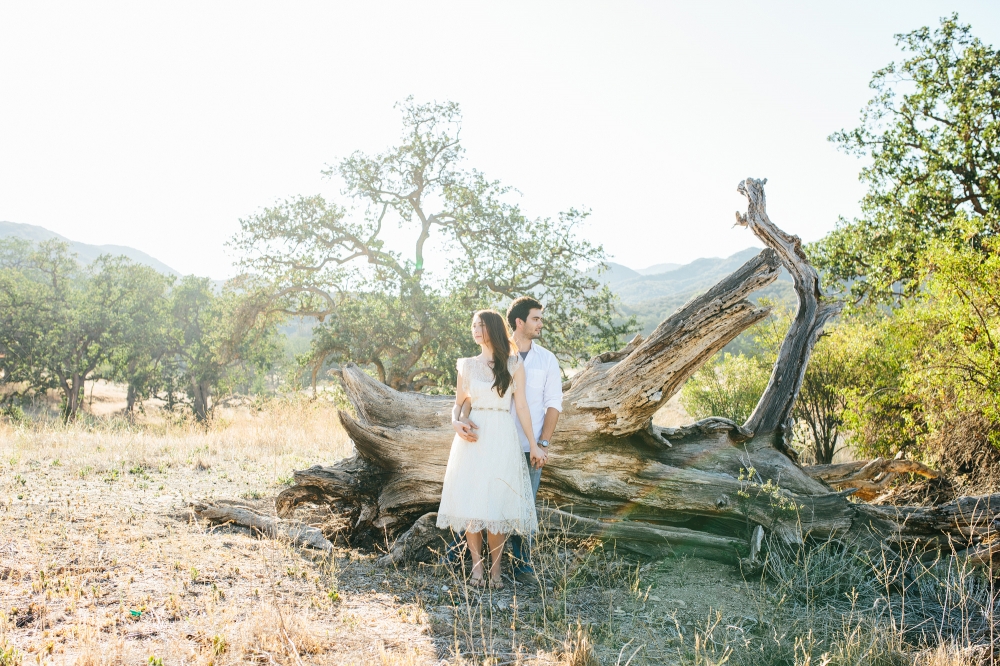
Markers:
62,325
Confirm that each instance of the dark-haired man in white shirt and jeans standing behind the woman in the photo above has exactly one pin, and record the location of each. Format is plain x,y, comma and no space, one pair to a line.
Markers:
544,395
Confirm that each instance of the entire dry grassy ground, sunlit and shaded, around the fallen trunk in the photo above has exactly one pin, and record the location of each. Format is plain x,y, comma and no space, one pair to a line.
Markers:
101,564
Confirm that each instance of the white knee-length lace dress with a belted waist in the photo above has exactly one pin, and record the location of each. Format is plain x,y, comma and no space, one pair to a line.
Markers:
486,484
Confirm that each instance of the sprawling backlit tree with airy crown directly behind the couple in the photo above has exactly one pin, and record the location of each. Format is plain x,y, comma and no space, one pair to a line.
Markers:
392,309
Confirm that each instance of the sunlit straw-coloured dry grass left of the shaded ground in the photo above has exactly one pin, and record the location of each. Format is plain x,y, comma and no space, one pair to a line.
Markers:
100,563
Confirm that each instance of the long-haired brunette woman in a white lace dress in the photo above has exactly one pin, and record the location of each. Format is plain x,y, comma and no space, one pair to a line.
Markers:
486,484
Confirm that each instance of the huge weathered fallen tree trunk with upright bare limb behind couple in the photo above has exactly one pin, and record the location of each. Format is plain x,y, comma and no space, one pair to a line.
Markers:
704,488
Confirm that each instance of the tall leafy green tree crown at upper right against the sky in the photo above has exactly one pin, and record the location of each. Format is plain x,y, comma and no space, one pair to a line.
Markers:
931,135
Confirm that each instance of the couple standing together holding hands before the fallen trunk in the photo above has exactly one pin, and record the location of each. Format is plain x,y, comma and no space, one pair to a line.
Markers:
514,390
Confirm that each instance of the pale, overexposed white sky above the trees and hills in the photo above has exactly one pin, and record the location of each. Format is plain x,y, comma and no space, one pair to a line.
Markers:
159,125
